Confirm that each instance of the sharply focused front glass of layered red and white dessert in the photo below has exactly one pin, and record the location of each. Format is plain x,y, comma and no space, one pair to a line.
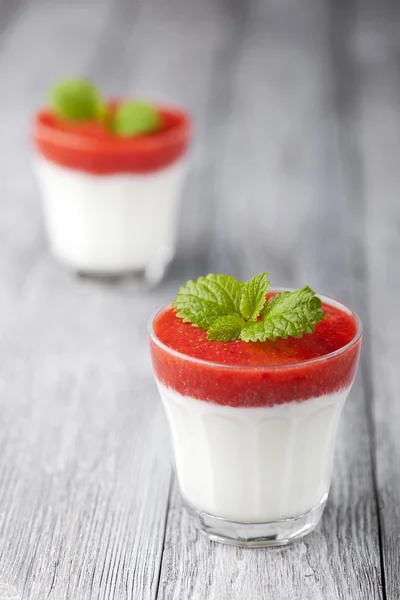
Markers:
253,423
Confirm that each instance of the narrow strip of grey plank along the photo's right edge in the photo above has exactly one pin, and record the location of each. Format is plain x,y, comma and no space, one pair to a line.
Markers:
376,52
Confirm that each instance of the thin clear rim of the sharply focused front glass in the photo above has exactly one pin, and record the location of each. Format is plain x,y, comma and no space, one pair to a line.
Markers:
268,367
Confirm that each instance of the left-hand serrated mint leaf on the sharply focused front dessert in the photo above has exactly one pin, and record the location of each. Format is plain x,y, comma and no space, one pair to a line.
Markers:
203,301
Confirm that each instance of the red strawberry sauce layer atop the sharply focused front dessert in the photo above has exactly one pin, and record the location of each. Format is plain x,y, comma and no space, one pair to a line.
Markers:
256,374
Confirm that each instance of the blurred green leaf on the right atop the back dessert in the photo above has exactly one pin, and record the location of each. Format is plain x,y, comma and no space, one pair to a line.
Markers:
136,118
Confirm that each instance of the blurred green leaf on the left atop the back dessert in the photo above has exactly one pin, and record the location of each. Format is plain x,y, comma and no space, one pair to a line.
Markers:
77,100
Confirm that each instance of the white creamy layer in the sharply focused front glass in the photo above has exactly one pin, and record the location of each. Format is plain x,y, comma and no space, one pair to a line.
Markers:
253,465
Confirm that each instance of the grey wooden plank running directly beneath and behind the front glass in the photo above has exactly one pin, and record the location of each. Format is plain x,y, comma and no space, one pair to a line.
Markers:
283,205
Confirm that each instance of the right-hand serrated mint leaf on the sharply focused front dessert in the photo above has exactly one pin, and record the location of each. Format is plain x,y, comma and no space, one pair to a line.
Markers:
286,314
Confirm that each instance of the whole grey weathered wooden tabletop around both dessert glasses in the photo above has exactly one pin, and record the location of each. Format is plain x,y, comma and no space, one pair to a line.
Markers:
295,170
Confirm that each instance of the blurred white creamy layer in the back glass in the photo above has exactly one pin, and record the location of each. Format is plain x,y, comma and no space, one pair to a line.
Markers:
111,223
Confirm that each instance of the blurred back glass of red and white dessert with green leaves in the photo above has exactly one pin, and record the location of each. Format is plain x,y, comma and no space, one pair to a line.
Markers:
110,174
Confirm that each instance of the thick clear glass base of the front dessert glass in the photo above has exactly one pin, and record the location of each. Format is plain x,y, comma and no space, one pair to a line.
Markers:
257,535
